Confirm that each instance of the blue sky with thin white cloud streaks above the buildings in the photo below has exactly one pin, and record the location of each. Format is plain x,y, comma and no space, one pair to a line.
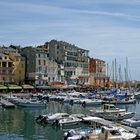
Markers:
108,28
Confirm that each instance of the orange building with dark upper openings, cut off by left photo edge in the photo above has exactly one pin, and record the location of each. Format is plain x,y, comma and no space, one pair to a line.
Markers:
6,69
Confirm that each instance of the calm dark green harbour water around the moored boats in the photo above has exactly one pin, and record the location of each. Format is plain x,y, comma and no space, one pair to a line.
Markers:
19,123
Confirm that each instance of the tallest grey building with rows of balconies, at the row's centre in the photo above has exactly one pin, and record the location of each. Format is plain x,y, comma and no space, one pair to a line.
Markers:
74,59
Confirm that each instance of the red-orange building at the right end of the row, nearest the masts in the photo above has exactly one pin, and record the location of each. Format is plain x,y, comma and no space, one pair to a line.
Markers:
97,69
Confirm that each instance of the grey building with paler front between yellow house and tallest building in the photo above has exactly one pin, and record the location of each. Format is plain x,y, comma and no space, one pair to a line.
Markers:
39,68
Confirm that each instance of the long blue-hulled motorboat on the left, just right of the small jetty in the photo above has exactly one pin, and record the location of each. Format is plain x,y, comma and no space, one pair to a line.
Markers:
31,103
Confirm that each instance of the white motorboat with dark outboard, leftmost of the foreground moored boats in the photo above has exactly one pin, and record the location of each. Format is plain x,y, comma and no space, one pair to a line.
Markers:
50,118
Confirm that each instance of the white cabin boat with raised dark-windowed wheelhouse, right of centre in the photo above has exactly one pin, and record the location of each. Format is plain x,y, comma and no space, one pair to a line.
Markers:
107,109
